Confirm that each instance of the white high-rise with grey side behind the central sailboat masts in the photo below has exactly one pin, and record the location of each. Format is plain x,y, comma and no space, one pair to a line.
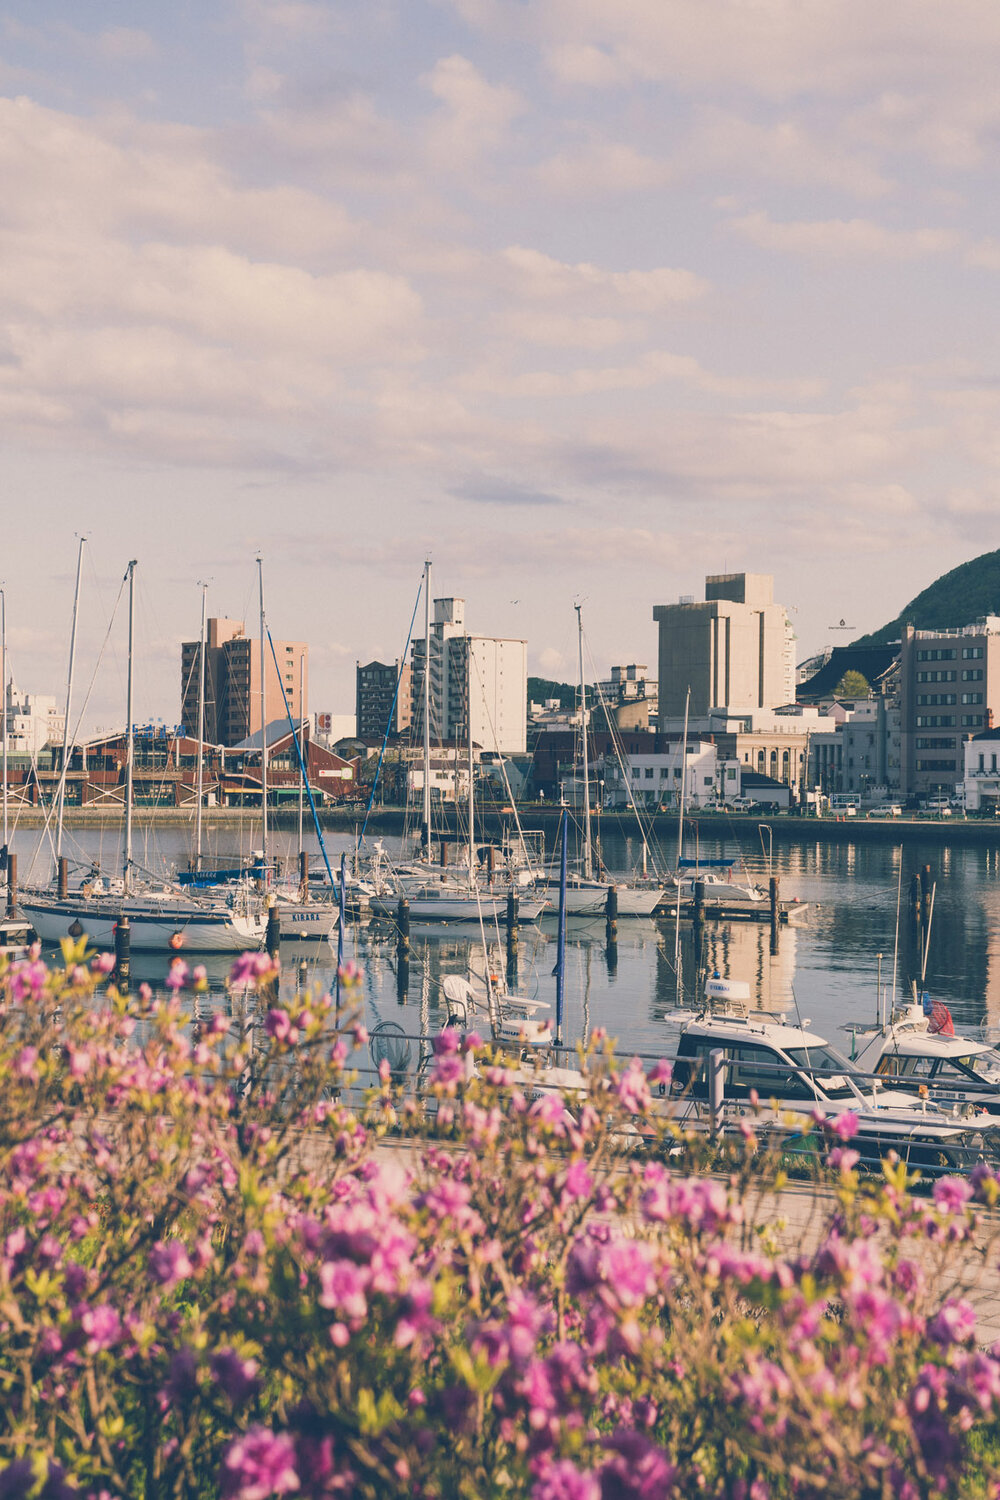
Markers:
478,683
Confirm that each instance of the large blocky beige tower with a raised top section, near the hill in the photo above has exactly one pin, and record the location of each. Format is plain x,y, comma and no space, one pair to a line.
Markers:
734,650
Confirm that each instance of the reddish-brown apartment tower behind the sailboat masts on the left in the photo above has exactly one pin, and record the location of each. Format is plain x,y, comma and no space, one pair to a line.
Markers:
233,682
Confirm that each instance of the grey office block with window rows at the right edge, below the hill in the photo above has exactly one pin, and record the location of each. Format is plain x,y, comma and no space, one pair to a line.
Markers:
950,691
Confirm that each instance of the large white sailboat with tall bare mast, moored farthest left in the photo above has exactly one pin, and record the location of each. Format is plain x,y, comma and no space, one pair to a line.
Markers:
160,920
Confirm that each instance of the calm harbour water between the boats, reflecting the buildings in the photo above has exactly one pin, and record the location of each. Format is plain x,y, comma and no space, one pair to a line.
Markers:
827,968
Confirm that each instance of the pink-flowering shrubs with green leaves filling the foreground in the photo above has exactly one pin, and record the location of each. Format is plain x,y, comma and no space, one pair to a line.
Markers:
217,1279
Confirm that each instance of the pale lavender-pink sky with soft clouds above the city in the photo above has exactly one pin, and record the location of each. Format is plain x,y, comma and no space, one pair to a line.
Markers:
581,299
